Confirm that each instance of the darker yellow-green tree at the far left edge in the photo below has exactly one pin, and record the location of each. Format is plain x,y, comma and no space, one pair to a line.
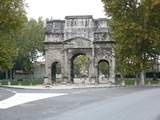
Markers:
12,17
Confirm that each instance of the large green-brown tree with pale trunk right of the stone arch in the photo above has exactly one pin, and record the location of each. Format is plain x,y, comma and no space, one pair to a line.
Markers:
136,31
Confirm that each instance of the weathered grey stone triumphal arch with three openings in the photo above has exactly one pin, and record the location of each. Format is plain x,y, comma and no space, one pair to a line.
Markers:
76,35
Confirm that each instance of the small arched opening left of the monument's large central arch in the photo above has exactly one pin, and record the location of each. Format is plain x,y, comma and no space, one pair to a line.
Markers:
56,72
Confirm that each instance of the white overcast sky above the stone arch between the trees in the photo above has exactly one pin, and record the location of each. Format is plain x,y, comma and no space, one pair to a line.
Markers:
58,9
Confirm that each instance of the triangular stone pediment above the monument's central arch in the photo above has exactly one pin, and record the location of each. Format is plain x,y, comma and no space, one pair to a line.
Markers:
78,42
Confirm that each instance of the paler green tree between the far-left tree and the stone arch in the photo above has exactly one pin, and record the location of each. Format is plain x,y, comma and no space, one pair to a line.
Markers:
29,42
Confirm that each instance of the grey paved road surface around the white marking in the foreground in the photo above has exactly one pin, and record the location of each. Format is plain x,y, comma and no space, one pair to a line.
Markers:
89,104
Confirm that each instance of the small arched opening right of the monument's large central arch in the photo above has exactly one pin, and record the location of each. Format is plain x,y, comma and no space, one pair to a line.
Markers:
103,70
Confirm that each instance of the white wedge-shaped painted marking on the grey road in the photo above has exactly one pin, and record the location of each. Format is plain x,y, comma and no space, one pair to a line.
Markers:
22,98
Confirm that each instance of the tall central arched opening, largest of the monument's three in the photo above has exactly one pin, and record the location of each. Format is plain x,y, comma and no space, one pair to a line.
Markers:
79,68
